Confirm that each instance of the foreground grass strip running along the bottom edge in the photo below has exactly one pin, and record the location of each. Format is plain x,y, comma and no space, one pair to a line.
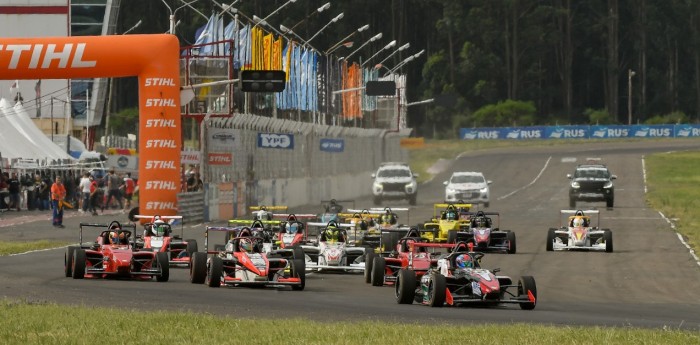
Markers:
43,323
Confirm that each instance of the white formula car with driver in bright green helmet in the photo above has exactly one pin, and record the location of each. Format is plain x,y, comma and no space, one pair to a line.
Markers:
332,251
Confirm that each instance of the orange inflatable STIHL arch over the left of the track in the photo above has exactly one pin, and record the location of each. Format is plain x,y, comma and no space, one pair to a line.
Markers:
154,60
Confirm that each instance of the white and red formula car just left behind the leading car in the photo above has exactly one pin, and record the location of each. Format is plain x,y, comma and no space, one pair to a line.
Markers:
243,263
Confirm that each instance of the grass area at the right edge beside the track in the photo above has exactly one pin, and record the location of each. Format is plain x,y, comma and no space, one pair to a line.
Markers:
672,188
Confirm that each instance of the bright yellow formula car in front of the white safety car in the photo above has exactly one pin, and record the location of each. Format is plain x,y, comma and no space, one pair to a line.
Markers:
447,220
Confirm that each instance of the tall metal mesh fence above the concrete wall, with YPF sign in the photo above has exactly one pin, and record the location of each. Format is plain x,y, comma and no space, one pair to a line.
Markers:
249,147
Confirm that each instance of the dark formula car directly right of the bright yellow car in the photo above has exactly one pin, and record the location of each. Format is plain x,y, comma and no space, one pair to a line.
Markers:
486,235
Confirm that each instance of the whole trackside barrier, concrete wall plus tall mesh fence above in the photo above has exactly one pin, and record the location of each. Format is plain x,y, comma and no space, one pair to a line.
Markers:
253,160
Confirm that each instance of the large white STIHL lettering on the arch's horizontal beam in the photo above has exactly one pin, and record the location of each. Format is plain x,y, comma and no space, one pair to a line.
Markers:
42,57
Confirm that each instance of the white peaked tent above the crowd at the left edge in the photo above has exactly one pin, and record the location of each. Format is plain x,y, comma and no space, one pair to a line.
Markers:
22,139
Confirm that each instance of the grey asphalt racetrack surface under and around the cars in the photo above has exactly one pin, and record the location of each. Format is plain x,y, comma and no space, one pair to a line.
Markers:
649,281
